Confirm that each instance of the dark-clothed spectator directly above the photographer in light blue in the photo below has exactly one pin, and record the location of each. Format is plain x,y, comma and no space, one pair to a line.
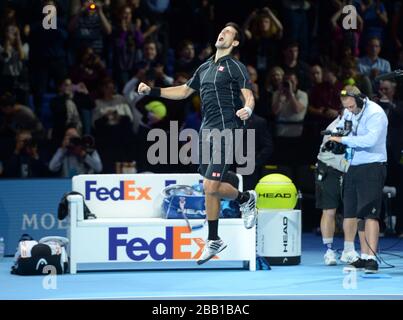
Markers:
67,109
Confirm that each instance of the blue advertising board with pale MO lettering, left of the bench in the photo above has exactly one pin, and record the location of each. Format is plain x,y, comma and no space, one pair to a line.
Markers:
30,206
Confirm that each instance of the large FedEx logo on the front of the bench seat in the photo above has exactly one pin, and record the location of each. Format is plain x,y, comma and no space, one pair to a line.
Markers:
169,247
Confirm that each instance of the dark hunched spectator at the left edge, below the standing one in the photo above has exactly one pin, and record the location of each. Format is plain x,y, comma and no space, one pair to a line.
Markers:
18,117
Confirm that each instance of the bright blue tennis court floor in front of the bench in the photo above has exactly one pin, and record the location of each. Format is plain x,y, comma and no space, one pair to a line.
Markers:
309,280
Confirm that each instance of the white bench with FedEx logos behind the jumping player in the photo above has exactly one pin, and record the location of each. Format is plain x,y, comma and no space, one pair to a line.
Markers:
130,233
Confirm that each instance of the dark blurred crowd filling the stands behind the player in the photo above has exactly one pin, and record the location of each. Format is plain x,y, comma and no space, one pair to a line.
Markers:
68,100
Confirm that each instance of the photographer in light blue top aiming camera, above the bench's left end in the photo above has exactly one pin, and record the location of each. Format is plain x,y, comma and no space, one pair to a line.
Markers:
75,156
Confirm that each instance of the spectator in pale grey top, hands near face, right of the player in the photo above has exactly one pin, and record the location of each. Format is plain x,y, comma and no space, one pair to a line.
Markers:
289,105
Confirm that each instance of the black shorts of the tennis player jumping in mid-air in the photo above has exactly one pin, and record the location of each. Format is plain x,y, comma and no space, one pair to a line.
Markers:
218,156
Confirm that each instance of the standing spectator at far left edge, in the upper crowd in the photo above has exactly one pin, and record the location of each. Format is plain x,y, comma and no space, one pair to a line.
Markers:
13,71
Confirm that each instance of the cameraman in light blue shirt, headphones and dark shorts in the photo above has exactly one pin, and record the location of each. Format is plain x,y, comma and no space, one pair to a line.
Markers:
364,180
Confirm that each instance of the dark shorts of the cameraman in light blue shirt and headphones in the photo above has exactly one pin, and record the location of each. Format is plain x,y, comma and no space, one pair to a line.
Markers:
363,190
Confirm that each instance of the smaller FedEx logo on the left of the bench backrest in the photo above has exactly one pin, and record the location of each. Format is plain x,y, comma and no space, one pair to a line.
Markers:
125,191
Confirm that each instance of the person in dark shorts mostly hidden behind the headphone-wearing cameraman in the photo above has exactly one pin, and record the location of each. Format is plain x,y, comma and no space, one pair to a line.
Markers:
330,169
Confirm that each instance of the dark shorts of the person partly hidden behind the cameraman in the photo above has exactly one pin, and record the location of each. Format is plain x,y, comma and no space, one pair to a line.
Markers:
328,187
